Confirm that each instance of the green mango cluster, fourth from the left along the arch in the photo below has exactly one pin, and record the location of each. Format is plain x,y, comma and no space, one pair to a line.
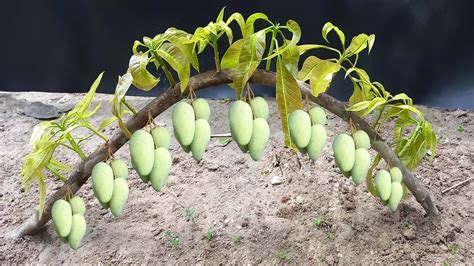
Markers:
191,126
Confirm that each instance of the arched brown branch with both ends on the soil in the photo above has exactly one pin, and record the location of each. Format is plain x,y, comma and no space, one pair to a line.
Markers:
209,79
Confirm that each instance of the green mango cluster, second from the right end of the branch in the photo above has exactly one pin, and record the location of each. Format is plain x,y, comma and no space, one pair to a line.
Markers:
352,156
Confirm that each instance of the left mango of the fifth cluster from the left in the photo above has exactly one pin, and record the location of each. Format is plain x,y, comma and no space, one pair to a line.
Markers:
241,122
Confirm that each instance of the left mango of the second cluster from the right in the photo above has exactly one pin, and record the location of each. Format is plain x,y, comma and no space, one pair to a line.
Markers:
344,152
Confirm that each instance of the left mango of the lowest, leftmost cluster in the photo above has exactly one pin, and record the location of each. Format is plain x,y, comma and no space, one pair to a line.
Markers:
61,215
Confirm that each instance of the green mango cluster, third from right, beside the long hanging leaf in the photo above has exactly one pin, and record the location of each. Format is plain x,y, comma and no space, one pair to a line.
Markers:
307,131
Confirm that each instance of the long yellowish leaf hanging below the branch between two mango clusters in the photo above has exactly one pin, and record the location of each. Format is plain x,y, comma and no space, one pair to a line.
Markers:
288,97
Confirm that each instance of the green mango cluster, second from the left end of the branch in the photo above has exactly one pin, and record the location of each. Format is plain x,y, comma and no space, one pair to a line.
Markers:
109,183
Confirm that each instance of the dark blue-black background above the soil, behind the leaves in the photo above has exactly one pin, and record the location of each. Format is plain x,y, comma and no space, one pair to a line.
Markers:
422,47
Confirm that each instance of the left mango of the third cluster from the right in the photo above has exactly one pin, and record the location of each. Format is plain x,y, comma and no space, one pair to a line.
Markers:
299,123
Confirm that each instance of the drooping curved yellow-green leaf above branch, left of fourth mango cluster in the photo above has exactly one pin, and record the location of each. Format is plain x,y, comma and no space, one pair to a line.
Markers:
178,61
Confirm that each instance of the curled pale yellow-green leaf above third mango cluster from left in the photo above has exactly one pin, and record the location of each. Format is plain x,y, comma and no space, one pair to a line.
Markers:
142,78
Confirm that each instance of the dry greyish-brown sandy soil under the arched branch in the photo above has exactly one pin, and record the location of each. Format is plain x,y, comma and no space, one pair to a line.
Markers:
253,221
